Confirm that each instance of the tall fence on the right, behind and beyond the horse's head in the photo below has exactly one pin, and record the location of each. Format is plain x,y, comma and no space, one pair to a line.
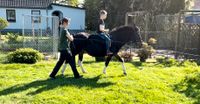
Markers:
179,33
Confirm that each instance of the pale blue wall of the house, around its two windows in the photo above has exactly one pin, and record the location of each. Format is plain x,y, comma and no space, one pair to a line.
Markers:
77,18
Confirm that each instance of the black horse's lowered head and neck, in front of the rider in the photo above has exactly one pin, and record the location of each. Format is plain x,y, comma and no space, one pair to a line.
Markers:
127,34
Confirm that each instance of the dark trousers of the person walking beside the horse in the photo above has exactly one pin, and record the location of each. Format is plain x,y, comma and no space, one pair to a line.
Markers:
65,56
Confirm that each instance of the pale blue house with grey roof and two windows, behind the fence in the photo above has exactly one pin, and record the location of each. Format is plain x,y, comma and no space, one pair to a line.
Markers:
13,11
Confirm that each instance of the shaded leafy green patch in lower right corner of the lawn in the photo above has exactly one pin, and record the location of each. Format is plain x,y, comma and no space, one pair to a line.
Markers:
190,86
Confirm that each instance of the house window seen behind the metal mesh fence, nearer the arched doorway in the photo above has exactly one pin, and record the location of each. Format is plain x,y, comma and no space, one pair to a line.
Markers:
36,16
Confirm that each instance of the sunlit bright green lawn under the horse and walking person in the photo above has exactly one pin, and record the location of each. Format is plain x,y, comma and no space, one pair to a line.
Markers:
146,83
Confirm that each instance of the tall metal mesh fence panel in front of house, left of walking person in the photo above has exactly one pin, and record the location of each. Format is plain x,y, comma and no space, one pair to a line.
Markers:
41,33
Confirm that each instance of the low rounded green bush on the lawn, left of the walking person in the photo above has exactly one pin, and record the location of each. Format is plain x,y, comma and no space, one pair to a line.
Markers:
25,55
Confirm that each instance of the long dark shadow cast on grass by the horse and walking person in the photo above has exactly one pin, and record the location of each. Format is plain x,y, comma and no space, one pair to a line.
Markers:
49,84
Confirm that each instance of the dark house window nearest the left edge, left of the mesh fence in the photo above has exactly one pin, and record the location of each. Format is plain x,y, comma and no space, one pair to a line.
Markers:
11,15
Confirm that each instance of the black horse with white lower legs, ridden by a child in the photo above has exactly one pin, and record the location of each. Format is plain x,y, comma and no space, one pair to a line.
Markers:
94,45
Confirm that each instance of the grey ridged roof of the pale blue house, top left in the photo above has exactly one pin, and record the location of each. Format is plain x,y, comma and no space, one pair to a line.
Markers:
25,3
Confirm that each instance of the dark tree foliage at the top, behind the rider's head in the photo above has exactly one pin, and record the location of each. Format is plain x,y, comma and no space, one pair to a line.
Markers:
118,8
